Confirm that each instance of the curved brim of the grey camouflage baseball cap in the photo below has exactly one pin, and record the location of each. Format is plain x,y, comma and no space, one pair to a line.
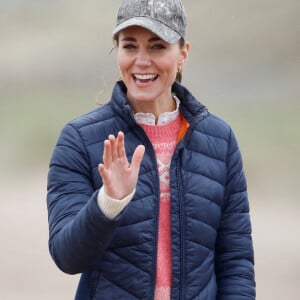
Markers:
161,30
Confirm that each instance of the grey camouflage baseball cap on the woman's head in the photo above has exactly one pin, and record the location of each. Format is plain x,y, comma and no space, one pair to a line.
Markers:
165,18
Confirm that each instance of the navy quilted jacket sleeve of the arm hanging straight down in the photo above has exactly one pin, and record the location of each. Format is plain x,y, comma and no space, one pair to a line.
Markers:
234,250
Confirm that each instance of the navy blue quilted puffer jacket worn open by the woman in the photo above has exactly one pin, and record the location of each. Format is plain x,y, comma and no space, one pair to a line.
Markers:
212,254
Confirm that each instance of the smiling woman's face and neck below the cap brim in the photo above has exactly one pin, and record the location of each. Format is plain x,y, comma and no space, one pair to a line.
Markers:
148,67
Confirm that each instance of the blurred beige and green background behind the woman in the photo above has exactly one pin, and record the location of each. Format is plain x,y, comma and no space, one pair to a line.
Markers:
55,65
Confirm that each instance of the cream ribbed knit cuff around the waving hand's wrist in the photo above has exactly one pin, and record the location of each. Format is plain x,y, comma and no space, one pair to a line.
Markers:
112,207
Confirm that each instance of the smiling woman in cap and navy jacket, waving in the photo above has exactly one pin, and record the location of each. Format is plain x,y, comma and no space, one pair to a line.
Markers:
146,194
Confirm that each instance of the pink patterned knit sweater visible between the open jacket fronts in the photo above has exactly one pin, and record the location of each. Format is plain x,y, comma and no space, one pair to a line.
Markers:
164,138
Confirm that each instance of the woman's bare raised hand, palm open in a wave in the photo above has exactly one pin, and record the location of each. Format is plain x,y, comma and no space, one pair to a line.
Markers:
118,176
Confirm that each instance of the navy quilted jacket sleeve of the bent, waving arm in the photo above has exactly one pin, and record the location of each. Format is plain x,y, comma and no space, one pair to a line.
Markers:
78,230
